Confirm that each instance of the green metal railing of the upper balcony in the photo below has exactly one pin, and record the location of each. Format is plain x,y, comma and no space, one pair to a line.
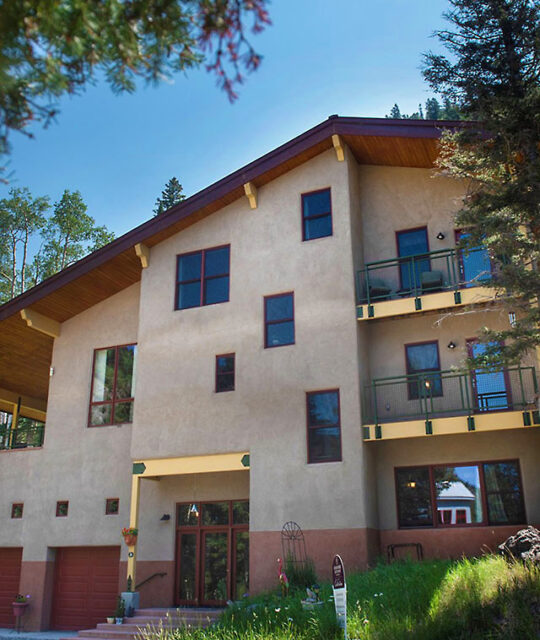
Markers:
413,276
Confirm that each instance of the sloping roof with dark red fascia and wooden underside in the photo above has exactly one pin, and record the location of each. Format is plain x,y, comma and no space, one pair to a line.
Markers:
26,354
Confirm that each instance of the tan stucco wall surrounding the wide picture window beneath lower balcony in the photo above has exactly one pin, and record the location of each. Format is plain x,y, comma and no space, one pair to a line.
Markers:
523,444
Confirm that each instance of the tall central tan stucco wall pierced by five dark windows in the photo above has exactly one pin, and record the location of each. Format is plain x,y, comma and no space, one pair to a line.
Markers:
266,414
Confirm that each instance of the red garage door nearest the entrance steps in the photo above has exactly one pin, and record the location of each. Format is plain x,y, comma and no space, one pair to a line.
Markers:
85,586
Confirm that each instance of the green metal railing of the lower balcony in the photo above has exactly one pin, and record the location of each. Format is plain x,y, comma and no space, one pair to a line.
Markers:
437,394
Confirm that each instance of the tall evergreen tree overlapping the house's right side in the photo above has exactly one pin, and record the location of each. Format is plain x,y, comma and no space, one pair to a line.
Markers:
492,73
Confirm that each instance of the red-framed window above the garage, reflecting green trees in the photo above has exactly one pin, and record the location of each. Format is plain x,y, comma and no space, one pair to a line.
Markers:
113,383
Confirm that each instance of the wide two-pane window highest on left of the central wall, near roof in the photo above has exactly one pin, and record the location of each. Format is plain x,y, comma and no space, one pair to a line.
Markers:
202,278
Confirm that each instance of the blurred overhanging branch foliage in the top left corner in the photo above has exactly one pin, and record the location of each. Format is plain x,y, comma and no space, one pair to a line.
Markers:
49,48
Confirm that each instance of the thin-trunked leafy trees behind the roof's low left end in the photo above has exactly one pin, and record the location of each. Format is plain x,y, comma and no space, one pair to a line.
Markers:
62,238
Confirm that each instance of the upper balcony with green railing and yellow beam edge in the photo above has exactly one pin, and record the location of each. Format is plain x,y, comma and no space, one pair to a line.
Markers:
423,282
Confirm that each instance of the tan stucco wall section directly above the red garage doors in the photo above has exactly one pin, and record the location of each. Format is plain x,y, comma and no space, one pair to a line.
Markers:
82,465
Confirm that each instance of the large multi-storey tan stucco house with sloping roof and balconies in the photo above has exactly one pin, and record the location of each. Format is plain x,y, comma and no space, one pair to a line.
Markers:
278,347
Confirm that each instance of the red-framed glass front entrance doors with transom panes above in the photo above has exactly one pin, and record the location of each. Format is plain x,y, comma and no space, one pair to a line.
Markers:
212,552
